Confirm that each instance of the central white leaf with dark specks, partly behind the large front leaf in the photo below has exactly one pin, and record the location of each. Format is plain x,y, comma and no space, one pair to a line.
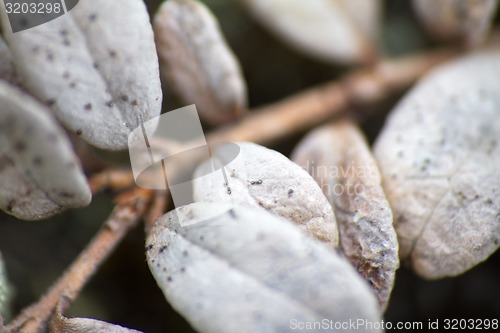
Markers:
262,177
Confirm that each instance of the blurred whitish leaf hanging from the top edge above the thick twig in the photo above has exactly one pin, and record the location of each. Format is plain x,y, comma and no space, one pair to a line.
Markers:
341,31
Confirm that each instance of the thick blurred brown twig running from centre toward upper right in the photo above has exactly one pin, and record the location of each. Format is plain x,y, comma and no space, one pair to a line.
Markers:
314,106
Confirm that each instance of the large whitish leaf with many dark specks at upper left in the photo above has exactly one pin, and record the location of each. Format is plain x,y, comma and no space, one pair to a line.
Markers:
95,66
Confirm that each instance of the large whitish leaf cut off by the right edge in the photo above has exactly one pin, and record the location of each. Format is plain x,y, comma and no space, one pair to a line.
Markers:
439,154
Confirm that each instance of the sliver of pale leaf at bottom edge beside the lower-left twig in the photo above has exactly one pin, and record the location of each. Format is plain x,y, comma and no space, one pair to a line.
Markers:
61,324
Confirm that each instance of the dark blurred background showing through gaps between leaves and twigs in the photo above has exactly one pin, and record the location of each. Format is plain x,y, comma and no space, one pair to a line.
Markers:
123,291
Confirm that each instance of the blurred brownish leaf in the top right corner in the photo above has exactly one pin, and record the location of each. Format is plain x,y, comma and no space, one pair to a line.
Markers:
465,20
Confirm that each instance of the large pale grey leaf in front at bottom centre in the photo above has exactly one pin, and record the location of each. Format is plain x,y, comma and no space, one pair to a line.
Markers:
249,271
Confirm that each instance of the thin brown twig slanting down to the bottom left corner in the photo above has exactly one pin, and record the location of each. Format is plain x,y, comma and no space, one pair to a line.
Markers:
130,207
